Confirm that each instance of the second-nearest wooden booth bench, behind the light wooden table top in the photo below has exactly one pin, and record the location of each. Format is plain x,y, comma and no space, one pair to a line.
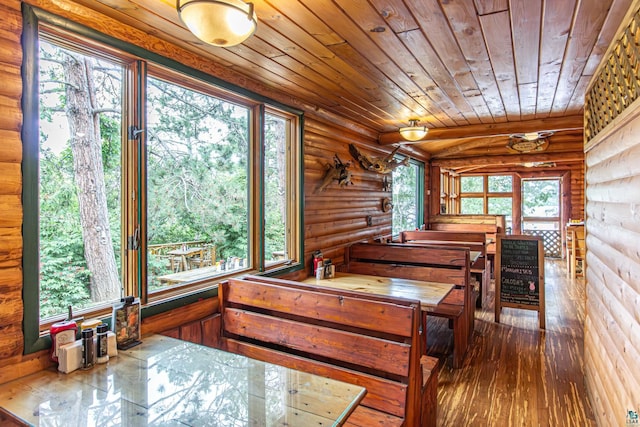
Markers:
428,263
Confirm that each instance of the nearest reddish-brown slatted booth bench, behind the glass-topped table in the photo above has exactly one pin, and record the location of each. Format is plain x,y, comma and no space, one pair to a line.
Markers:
368,340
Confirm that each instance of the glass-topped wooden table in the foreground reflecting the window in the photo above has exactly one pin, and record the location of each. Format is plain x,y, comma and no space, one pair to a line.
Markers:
168,382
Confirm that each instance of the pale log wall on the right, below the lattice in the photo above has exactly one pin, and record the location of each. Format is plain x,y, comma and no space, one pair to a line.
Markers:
612,324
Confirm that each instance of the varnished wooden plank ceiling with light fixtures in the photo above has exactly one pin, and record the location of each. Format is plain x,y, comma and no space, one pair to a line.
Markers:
473,71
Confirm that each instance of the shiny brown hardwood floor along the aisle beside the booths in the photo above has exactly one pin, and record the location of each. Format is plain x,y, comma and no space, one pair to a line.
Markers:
516,374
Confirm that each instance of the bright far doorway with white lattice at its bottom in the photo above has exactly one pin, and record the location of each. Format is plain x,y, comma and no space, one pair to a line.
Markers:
541,213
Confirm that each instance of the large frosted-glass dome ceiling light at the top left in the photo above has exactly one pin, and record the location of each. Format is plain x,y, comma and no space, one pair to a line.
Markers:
221,23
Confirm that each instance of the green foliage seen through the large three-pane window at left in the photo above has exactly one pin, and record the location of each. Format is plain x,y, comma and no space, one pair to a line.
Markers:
197,160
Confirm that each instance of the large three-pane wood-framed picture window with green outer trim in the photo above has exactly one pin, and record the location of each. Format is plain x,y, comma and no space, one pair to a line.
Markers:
147,178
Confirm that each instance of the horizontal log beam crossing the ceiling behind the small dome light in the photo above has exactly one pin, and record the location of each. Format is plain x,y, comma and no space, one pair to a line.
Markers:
490,130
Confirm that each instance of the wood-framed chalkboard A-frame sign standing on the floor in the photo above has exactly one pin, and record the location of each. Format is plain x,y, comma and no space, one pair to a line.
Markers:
519,273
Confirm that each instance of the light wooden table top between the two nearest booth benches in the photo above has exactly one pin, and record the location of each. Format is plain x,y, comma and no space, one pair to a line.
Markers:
428,293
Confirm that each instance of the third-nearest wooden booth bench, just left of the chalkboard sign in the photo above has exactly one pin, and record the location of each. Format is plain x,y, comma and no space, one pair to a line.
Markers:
476,242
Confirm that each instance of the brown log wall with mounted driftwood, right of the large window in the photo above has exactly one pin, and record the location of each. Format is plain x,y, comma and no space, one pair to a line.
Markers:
336,217
